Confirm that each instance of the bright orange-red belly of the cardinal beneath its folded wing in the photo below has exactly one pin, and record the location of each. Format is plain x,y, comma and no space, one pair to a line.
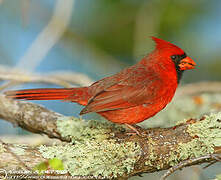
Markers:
133,115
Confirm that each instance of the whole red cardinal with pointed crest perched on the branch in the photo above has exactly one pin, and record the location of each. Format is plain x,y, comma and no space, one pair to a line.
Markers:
130,96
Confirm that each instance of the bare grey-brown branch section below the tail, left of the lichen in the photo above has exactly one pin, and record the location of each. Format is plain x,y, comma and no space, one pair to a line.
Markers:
31,117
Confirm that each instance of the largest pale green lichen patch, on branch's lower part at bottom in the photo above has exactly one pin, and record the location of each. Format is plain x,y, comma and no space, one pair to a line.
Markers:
105,158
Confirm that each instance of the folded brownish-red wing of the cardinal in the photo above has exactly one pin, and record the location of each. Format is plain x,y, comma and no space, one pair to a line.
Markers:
132,91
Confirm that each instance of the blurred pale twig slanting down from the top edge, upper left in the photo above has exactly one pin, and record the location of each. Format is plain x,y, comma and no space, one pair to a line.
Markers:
49,35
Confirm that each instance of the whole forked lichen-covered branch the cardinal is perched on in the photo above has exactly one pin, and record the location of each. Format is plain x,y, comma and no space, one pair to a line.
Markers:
102,149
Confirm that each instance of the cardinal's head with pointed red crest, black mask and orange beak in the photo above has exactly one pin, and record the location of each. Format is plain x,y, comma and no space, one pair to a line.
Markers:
171,52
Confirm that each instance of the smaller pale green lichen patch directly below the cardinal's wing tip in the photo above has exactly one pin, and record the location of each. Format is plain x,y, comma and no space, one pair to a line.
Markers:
80,130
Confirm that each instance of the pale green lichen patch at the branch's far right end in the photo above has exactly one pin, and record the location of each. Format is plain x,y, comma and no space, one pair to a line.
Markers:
207,135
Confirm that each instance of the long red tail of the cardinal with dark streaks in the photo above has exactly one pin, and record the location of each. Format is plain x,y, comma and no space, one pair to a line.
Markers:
78,95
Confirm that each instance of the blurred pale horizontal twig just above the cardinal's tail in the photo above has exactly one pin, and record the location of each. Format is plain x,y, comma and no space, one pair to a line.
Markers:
61,78
